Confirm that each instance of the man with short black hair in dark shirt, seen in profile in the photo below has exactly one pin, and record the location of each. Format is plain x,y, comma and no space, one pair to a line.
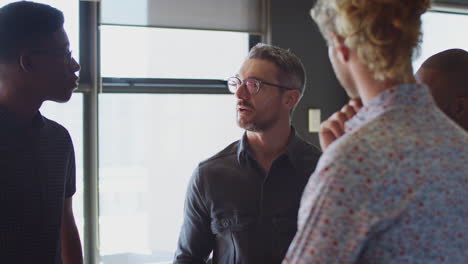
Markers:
37,162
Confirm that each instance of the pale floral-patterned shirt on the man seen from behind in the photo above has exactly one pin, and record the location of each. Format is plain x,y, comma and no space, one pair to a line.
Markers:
393,189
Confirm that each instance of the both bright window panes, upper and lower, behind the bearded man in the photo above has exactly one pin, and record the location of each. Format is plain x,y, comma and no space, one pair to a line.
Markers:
151,142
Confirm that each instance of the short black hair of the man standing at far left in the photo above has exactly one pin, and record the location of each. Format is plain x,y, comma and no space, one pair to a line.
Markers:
23,23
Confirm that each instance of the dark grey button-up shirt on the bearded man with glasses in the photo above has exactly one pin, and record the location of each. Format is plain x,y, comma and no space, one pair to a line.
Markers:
240,212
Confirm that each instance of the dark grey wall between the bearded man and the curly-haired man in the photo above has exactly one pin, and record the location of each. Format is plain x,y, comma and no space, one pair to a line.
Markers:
293,28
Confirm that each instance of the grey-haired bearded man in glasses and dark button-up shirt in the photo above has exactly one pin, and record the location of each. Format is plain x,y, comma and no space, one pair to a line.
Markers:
242,203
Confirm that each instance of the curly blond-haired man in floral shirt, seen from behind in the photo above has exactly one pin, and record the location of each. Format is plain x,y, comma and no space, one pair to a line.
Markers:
392,188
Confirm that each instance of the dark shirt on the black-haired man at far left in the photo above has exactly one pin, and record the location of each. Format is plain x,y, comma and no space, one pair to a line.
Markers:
37,173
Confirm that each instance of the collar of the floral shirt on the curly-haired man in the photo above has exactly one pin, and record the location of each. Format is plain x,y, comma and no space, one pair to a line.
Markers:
405,94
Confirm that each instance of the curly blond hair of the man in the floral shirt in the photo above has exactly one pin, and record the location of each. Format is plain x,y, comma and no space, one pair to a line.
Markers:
384,33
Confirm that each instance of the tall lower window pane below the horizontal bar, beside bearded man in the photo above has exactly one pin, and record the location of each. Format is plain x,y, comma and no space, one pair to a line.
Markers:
150,145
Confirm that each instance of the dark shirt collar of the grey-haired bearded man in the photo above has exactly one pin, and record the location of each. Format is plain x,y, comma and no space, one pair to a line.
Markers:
294,143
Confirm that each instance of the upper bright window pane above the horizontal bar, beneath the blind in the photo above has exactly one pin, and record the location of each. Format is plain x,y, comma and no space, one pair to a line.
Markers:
142,52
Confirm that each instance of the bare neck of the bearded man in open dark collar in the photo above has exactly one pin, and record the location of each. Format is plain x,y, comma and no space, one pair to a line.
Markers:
269,145
